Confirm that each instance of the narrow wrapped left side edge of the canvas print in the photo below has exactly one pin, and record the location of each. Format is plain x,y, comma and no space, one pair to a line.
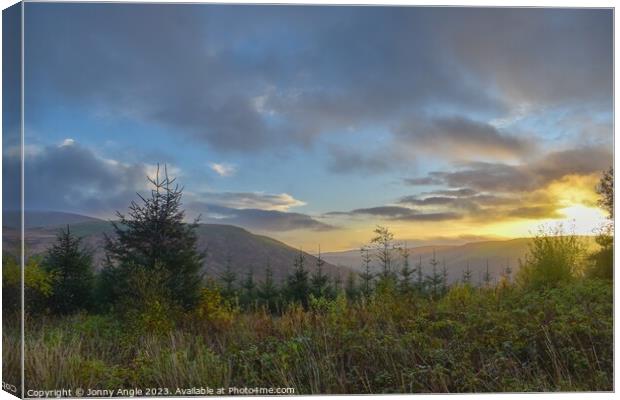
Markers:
12,212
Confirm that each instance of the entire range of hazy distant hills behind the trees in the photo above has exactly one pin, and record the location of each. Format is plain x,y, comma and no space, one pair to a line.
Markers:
249,251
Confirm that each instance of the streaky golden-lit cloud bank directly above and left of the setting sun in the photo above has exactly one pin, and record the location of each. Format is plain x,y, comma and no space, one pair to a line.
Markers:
498,191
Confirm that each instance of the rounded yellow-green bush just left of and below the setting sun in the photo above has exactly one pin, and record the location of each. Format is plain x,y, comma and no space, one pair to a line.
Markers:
553,258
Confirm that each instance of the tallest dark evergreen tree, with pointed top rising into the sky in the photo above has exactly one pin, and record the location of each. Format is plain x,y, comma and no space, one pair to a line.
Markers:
154,236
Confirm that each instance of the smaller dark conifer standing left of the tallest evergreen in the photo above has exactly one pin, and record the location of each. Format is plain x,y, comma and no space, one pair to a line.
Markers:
72,274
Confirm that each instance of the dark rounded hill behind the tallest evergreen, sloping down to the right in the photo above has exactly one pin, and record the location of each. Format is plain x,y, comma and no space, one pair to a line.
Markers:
247,251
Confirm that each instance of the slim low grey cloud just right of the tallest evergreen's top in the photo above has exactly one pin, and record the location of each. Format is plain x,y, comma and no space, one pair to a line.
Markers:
262,220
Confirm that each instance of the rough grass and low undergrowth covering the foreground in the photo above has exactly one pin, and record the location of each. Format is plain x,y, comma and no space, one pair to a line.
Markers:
470,340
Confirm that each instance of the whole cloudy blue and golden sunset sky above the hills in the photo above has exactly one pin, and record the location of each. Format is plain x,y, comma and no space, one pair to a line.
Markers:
313,125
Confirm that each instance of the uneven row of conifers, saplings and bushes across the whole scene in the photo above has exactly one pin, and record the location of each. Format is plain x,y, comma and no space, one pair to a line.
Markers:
152,258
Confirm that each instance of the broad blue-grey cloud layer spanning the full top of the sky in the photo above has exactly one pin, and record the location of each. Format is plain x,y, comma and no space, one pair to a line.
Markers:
225,75
